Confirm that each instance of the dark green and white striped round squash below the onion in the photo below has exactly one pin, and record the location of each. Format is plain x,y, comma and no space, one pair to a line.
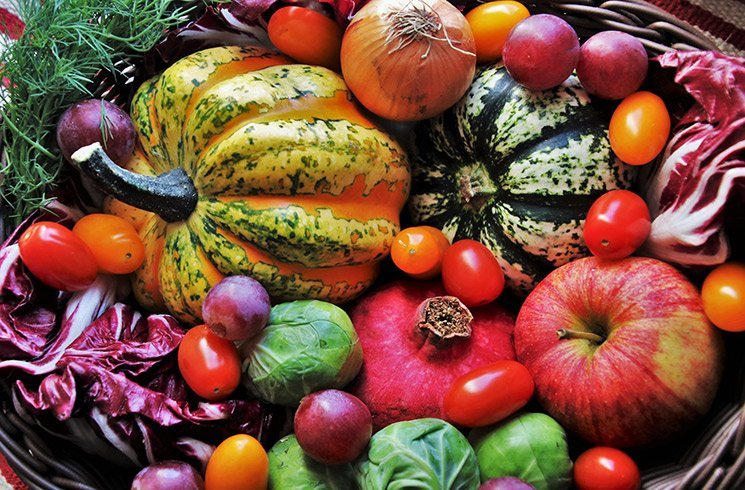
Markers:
516,170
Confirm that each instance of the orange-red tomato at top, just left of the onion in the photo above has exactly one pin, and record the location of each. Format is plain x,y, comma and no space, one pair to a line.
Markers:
307,36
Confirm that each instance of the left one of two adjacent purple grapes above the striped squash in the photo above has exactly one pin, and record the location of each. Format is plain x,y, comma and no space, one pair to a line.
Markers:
541,52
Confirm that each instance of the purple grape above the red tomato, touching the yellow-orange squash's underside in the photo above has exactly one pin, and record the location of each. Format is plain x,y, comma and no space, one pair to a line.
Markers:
236,308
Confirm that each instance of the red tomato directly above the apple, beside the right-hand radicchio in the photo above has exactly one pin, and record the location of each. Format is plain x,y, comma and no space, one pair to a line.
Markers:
617,224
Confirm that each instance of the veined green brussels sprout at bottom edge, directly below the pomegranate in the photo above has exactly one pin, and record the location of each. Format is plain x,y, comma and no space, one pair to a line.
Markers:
424,453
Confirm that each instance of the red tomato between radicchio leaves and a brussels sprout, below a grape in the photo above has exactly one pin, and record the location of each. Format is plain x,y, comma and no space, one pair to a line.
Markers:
210,365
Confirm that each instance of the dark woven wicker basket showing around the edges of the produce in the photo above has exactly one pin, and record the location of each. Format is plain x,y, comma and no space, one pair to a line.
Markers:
718,460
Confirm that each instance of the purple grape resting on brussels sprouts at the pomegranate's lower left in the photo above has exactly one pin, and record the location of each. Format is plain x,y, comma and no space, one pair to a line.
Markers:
332,426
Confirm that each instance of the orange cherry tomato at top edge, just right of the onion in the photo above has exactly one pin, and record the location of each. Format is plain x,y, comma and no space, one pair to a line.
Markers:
491,23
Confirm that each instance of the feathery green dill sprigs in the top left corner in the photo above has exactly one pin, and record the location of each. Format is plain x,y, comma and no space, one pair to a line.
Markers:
64,45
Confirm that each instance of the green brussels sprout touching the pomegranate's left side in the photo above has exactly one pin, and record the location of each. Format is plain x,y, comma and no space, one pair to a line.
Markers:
307,346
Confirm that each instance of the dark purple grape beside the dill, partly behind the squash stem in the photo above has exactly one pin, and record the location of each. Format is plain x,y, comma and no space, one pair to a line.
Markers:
95,120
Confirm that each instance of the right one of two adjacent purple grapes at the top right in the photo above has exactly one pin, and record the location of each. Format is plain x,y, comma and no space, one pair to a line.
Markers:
612,65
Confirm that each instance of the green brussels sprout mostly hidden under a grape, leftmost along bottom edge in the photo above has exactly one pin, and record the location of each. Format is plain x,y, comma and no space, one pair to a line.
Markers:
291,469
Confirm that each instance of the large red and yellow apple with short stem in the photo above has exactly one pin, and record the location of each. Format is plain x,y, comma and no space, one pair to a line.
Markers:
621,352
